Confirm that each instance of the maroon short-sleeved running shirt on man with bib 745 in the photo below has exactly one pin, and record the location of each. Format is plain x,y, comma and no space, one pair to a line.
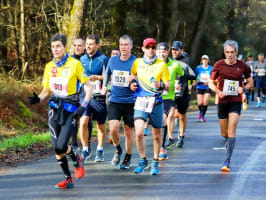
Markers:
236,72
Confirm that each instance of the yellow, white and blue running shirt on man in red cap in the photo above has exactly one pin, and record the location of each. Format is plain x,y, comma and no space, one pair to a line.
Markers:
147,74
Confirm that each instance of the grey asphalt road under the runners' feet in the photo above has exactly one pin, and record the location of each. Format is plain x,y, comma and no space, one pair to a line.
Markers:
191,173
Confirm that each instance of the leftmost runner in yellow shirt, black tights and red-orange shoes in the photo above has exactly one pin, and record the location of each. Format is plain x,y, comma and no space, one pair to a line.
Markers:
61,77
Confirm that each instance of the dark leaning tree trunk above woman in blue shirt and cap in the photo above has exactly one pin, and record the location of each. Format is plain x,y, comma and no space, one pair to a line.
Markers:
200,31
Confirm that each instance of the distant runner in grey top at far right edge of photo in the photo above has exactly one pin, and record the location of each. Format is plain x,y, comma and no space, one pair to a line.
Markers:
260,69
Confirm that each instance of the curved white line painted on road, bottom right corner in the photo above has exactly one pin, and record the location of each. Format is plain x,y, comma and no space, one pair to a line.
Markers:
242,177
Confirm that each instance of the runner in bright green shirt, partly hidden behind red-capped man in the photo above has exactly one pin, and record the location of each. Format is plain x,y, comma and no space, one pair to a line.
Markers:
175,70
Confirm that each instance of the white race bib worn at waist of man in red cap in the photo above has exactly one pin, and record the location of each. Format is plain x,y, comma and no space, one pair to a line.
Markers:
144,104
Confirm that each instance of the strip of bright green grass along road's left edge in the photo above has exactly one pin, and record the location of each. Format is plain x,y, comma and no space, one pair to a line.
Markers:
23,141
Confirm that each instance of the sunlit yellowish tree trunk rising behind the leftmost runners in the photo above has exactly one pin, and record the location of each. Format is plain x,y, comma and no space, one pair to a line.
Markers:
75,23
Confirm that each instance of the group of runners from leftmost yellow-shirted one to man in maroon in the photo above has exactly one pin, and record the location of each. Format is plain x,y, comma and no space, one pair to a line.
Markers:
155,87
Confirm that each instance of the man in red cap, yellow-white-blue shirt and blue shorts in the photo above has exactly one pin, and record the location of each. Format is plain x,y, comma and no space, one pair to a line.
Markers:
150,76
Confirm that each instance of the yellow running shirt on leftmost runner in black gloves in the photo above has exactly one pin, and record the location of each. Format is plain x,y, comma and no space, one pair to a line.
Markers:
64,81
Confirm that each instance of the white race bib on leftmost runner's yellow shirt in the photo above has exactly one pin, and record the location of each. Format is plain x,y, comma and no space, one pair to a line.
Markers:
59,86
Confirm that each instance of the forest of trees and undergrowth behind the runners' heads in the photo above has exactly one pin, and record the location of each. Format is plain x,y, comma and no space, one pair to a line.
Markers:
26,27
